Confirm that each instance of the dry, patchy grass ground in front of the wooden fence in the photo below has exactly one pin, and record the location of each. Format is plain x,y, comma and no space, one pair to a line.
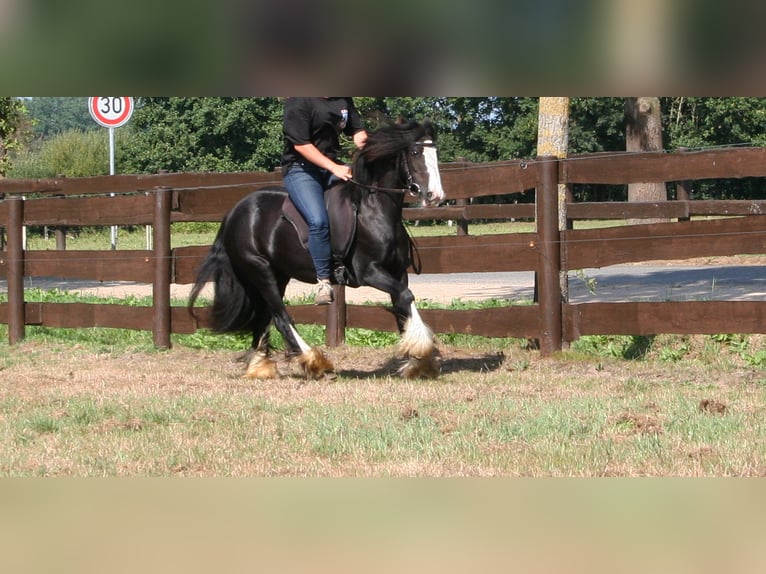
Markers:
74,412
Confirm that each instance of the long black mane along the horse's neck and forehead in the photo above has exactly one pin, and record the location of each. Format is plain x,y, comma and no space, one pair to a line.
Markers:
387,141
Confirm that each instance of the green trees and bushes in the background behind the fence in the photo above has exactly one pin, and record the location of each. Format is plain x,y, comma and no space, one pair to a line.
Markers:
236,134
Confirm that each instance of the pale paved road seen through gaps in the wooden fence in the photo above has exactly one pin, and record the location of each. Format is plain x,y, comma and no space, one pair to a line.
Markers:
610,284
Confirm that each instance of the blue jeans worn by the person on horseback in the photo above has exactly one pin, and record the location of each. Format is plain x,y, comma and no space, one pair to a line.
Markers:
305,185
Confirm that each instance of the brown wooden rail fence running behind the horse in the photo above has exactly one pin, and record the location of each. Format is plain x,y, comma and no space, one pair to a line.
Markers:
160,200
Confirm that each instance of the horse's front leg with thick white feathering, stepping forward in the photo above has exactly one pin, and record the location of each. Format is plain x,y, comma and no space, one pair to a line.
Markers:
417,344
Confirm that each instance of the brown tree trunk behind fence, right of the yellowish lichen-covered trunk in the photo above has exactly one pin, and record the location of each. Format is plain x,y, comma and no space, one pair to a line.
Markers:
643,132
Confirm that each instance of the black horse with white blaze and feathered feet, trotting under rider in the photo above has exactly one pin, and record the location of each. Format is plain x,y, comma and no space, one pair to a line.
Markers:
258,250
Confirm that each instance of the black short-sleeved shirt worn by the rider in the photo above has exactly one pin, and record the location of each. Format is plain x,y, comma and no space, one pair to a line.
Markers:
319,121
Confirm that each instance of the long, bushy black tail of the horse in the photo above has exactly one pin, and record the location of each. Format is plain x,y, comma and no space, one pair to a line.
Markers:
232,310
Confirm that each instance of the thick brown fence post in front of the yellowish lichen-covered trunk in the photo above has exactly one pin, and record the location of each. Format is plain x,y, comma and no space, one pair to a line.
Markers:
549,266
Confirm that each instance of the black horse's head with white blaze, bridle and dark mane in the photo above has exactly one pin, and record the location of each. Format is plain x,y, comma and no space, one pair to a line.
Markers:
411,148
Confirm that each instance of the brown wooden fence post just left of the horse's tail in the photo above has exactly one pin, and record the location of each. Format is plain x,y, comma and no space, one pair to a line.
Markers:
162,267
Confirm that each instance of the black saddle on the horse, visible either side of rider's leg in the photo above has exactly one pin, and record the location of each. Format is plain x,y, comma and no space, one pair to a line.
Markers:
342,212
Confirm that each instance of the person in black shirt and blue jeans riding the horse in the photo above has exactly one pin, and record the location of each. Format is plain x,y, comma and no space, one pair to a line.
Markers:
312,128
